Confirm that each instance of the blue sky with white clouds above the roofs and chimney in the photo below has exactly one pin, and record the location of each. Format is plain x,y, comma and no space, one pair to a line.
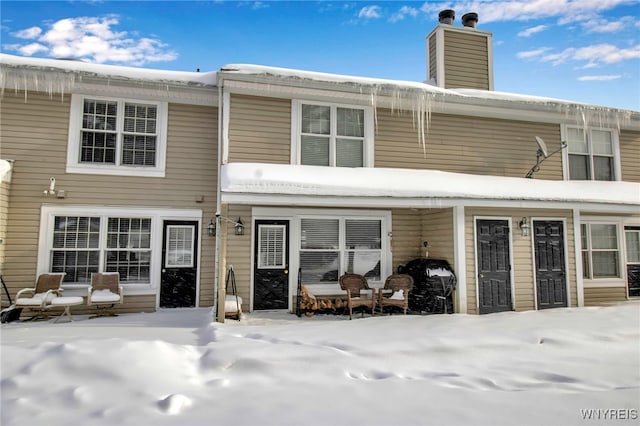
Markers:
580,50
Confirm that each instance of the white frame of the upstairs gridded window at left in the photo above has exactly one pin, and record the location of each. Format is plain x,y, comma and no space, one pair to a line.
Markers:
74,143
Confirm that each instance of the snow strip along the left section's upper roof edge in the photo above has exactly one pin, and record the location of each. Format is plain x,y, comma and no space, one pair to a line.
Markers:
10,62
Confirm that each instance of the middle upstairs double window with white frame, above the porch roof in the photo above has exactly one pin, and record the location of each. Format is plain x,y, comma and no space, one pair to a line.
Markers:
332,135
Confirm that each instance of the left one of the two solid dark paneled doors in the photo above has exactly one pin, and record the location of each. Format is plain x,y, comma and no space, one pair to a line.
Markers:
494,265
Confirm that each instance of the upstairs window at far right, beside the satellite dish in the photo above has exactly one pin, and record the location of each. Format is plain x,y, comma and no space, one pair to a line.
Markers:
591,154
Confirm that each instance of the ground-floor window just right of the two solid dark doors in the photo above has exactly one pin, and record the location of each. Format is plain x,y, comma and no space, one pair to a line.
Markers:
600,250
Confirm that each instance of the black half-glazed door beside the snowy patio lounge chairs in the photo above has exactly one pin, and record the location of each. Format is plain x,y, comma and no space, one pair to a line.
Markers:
179,264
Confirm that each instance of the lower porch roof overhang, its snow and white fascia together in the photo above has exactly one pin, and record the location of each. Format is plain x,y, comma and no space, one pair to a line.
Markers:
276,184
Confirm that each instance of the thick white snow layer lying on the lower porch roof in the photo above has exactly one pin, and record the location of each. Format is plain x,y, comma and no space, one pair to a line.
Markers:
257,178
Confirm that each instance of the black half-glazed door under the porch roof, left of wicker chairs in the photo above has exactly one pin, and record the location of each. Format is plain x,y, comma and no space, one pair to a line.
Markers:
271,265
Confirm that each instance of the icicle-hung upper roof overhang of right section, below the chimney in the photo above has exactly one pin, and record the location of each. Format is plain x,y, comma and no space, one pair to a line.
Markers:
418,97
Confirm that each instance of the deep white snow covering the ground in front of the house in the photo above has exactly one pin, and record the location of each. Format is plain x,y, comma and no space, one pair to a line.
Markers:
176,367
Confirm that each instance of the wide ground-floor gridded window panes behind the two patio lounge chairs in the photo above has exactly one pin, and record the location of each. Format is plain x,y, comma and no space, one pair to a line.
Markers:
83,245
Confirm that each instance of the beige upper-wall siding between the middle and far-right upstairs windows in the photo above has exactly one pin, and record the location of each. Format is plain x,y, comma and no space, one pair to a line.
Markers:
464,144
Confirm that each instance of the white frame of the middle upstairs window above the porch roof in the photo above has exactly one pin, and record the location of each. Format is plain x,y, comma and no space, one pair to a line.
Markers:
296,128
